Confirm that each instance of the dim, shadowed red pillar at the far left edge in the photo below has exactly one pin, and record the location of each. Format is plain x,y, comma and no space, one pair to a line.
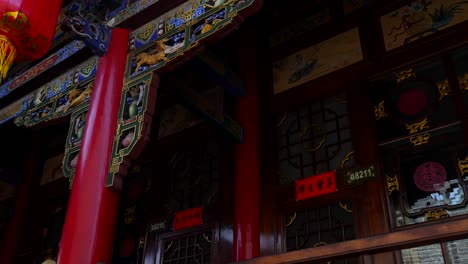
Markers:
14,232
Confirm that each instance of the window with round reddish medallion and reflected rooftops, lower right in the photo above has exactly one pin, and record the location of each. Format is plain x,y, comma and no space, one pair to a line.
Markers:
430,178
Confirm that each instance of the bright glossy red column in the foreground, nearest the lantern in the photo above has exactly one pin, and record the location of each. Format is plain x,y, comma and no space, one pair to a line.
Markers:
88,233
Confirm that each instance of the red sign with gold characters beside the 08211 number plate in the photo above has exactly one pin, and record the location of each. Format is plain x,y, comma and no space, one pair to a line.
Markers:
316,185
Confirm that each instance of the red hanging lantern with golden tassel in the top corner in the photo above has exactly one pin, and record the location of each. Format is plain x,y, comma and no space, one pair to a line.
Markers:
26,30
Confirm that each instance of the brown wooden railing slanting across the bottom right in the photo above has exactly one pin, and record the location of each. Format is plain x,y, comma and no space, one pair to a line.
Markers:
370,245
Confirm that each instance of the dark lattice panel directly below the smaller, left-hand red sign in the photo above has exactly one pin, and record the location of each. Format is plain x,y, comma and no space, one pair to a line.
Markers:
189,249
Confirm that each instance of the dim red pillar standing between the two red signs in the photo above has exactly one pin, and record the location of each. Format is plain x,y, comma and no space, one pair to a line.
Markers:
247,158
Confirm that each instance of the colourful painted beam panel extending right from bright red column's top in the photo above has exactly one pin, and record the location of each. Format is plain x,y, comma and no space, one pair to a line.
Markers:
168,36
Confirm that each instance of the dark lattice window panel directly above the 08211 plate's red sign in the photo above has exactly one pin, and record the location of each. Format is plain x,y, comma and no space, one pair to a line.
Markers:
313,140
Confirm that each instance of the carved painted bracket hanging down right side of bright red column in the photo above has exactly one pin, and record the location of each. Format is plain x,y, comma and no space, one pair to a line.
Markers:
134,122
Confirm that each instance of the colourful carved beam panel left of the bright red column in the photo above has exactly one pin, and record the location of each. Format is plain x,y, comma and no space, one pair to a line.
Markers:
60,96
